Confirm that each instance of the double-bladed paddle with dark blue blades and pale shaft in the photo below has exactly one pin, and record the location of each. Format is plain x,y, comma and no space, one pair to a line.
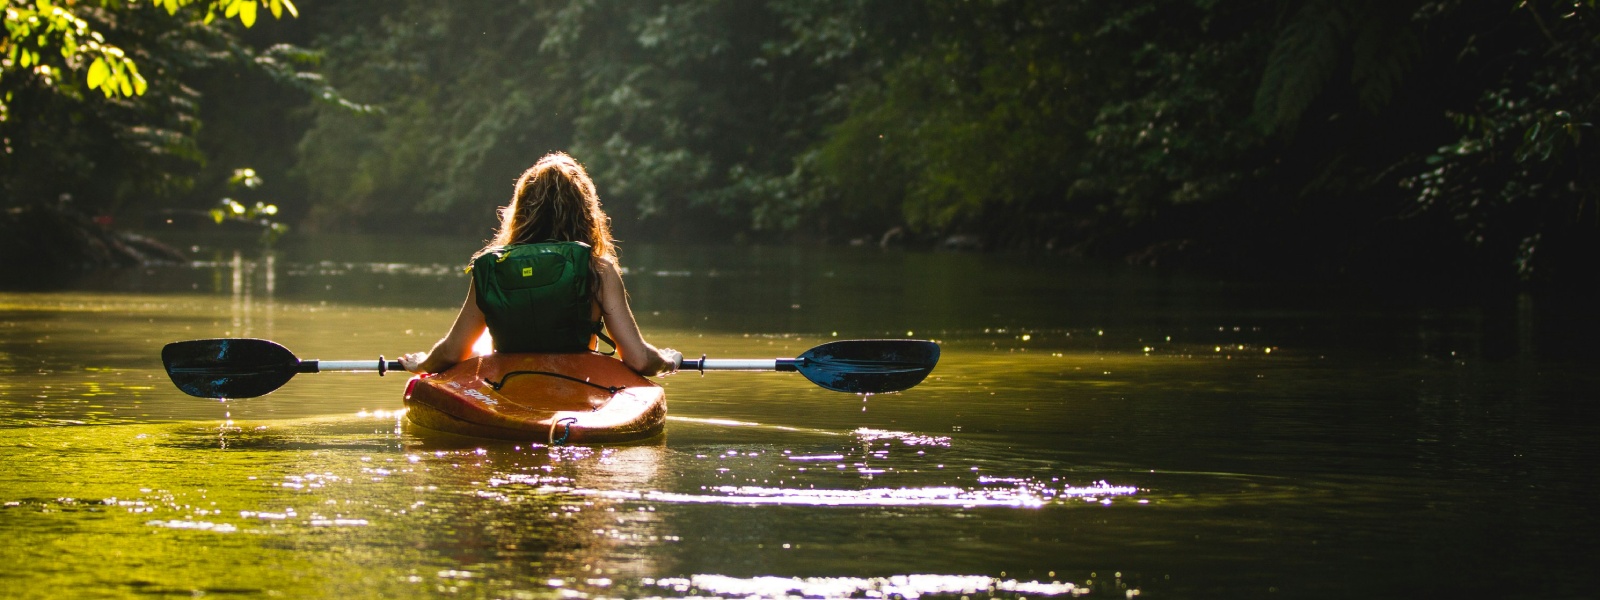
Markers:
246,369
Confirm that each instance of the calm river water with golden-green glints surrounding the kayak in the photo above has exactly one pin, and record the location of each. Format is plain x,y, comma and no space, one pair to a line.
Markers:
1090,431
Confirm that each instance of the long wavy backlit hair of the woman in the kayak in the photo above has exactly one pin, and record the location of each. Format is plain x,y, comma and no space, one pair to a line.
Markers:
554,201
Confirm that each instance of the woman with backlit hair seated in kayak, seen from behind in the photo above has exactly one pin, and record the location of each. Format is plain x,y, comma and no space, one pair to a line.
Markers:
550,281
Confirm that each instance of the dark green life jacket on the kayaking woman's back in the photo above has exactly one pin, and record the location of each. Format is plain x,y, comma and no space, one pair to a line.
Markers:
535,297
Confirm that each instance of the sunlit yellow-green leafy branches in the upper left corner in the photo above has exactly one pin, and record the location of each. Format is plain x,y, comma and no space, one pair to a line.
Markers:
98,102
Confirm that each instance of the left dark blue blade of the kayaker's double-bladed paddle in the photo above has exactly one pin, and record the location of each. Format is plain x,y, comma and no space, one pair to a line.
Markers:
228,369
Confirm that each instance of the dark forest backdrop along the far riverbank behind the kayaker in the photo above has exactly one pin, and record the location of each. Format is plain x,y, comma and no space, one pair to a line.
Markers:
1377,140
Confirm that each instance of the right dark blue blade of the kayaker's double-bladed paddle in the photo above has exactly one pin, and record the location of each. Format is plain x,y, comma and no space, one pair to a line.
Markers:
870,366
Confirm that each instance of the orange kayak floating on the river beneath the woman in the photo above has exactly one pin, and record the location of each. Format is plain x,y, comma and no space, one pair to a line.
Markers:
540,398
